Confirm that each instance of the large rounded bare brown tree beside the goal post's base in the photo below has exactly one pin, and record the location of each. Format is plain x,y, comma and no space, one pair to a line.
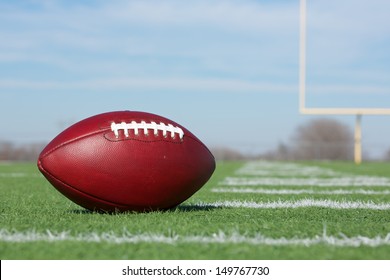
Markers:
323,139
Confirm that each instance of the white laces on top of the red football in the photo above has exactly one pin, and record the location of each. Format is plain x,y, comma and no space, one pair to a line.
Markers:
115,127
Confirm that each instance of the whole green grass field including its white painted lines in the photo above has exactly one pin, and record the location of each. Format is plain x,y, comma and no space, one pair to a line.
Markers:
248,210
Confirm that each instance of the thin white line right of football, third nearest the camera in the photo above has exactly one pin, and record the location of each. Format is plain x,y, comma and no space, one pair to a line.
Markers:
300,191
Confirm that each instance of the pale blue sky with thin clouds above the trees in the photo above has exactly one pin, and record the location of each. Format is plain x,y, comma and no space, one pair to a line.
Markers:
226,70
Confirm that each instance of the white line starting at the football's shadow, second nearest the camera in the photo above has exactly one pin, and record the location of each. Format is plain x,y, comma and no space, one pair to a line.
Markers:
303,203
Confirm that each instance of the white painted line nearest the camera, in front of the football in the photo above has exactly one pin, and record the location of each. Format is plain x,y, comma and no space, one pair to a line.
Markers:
220,238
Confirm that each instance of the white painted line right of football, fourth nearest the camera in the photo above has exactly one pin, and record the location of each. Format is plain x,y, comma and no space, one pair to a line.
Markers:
355,181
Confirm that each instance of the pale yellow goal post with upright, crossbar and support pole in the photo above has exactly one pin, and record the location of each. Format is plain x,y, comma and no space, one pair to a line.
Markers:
358,112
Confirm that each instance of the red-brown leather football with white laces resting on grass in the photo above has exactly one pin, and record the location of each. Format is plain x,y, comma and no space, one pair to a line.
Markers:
126,161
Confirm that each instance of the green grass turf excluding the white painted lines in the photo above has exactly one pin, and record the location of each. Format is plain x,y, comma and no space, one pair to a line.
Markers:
28,203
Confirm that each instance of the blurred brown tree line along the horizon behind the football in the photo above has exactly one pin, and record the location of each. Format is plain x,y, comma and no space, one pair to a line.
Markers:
318,139
